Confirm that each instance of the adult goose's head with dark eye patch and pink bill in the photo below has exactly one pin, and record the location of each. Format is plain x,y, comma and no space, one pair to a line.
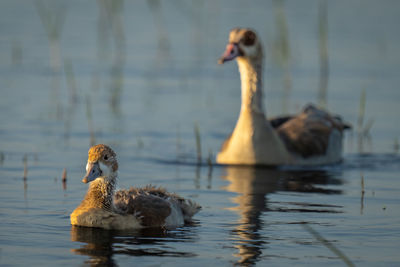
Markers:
243,44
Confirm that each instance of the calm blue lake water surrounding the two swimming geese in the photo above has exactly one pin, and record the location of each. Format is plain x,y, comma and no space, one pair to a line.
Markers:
140,76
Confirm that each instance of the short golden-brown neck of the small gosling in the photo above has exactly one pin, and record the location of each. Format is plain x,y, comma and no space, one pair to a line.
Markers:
100,193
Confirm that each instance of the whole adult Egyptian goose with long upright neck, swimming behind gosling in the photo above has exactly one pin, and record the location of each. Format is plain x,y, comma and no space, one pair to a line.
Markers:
312,137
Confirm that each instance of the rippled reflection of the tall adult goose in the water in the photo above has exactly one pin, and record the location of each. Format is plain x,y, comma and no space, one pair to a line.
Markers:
253,185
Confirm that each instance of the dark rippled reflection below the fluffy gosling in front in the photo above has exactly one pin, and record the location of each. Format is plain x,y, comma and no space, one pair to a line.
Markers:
101,245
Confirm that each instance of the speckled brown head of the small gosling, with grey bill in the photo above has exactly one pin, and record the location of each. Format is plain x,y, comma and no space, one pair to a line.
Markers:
102,163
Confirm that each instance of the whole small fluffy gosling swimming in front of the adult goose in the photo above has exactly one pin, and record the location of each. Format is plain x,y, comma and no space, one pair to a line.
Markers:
125,209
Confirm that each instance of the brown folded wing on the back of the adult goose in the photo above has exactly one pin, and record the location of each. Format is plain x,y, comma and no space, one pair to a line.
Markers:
308,133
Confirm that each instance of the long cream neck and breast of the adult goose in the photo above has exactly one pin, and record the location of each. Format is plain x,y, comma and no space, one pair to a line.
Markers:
253,140
